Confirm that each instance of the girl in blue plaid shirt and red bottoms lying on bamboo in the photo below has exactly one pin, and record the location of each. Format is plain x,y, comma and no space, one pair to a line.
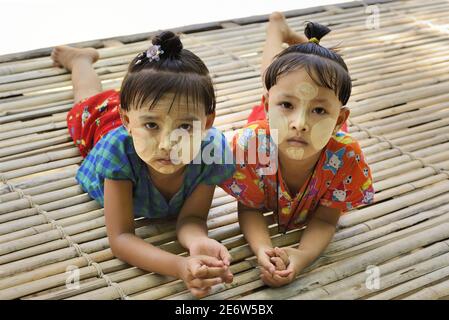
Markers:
134,167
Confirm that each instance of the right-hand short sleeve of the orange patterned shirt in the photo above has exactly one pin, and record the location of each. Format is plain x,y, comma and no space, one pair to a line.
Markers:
352,186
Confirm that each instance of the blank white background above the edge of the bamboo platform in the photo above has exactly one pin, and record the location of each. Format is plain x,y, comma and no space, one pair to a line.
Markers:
32,24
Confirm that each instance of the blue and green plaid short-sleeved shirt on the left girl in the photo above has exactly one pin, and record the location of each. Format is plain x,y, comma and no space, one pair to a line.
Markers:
114,157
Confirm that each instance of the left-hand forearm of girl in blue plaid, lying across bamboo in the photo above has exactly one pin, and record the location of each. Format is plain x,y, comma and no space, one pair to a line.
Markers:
136,252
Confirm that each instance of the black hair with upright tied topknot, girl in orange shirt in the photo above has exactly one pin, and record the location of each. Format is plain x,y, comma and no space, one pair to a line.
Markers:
325,66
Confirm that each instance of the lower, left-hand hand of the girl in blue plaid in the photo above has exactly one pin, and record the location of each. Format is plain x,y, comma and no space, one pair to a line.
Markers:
200,273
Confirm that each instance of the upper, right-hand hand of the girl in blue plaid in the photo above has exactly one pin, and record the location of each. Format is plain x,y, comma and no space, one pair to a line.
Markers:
213,248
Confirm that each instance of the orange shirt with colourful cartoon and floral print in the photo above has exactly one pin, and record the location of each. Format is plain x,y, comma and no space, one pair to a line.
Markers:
341,179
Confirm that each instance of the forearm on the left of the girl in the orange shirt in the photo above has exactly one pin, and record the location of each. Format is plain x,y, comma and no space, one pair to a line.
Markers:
255,229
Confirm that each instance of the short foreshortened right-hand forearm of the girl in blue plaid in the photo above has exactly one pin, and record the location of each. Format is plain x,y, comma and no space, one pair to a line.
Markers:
191,229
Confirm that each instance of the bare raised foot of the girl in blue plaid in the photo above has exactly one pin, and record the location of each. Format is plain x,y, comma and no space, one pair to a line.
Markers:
65,57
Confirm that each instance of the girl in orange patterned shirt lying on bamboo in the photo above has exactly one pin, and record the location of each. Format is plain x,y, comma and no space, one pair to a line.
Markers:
297,162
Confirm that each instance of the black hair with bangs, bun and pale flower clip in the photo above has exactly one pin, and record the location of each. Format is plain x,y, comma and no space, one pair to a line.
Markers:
173,70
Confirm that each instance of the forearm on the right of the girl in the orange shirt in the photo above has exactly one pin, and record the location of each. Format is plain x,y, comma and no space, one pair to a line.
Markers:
315,239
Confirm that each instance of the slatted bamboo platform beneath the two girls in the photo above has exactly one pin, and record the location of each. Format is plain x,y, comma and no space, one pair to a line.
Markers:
399,114
